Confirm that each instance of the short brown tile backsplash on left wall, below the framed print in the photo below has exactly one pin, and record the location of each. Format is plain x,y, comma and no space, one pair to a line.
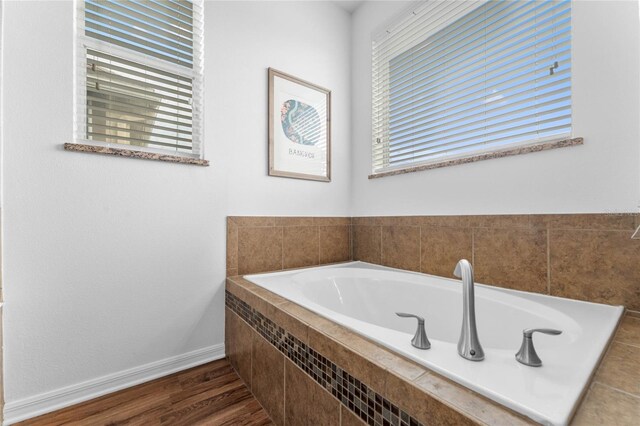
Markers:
259,243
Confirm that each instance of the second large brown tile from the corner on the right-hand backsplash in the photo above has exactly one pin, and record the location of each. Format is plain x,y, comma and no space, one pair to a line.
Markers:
401,247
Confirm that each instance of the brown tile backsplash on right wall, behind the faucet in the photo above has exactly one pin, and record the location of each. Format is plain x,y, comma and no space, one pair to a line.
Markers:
579,256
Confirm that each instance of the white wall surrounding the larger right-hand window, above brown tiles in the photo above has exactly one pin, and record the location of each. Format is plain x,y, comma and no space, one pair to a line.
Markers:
603,175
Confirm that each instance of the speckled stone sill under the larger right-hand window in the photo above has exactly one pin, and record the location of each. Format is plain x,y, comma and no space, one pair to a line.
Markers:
542,146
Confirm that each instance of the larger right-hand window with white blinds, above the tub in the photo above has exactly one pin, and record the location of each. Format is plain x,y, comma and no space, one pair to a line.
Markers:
456,79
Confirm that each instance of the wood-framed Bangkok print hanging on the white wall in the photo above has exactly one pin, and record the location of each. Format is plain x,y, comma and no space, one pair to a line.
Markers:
299,128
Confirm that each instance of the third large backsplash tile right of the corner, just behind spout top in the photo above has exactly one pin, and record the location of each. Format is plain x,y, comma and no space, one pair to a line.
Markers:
442,248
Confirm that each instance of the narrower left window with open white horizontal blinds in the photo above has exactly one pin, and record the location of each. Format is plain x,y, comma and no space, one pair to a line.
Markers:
140,75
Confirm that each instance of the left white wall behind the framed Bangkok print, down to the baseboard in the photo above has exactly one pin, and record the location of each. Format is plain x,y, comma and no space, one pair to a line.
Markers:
111,263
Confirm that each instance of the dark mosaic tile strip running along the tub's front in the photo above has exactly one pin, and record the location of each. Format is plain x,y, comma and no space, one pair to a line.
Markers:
365,403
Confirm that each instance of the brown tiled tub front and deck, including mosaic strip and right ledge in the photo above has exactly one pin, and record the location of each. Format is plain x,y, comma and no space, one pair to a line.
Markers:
264,328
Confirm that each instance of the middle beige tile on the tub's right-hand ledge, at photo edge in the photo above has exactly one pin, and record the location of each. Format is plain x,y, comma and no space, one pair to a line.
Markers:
619,369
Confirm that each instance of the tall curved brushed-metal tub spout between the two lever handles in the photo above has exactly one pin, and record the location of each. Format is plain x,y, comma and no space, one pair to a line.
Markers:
468,345
